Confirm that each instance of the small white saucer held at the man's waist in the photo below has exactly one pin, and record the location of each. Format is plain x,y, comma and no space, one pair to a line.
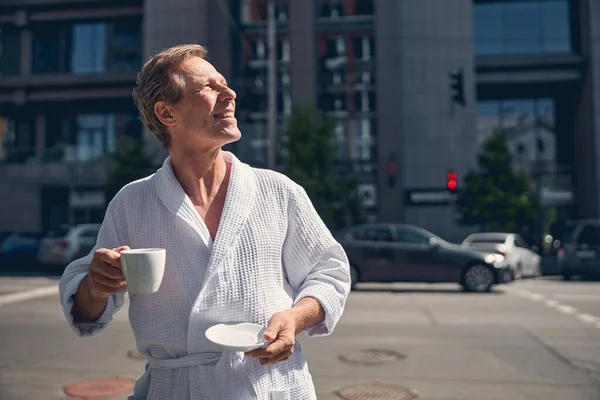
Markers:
237,336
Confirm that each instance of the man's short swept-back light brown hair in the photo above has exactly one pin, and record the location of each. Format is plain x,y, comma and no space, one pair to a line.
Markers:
158,81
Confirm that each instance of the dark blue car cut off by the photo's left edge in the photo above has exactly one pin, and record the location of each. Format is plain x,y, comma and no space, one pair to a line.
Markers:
18,250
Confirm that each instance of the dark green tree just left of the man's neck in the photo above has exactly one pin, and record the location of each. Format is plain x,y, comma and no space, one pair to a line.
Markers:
130,162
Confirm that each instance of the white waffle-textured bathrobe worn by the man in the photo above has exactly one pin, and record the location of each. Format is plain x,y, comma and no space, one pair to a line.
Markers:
271,250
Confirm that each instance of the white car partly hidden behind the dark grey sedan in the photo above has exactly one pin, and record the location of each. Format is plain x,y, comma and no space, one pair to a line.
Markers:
517,253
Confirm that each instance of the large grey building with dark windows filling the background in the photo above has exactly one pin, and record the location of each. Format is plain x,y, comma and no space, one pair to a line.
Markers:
384,68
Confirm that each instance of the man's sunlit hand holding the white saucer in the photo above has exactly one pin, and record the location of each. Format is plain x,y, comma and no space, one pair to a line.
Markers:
281,330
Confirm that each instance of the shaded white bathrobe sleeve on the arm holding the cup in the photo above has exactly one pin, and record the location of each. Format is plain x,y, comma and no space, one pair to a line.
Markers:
77,270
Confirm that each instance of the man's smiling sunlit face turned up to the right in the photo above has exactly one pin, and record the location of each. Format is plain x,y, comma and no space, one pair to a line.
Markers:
204,118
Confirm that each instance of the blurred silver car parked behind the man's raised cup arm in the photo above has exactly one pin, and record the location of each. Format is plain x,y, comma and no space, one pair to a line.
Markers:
64,244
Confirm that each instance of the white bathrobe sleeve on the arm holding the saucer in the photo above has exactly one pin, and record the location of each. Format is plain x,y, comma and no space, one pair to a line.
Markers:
315,263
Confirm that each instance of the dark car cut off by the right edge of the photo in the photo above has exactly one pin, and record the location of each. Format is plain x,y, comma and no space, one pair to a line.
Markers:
579,253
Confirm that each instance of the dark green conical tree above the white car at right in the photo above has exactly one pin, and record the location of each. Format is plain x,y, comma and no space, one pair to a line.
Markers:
496,196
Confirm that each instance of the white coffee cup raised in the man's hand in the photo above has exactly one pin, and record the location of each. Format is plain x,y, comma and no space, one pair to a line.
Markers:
143,269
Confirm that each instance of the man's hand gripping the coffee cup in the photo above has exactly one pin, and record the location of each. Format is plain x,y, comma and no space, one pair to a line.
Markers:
104,273
